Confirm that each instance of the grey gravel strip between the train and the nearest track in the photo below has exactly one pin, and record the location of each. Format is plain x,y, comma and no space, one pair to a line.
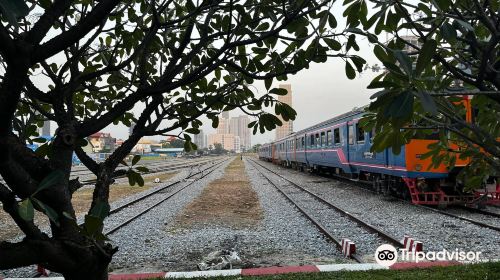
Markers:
436,231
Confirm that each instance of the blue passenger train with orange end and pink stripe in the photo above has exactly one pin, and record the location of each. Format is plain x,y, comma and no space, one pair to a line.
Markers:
339,146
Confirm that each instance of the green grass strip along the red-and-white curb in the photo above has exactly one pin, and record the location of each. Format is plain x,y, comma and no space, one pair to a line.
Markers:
484,271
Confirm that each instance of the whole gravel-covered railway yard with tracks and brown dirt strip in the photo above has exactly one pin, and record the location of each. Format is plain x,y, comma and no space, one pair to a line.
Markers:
270,216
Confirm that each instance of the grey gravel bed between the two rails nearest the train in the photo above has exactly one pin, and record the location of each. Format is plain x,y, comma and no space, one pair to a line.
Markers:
336,223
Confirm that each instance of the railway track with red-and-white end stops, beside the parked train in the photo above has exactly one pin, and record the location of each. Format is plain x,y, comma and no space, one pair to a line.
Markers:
325,210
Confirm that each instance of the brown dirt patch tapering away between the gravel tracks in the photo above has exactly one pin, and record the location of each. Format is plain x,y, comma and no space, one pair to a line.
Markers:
228,201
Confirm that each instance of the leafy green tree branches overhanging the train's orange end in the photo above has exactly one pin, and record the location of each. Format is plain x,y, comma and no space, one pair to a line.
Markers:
453,50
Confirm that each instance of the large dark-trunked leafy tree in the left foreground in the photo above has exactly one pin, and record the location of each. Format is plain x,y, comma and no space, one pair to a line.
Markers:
86,64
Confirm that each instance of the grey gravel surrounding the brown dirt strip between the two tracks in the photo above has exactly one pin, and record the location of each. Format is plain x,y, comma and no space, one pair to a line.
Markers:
284,237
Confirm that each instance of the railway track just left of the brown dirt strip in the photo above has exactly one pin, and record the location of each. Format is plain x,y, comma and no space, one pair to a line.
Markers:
135,215
